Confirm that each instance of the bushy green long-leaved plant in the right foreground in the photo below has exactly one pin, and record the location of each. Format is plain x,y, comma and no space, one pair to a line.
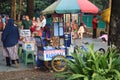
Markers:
92,65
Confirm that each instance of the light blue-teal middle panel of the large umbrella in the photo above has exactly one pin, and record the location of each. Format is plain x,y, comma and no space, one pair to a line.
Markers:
67,6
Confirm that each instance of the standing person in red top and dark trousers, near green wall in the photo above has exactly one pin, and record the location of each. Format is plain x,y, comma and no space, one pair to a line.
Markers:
95,25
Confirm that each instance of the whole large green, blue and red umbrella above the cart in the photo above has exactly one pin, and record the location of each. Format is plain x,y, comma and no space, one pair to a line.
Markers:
71,6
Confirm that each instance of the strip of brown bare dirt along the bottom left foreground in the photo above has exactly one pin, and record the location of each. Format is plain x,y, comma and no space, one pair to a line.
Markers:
34,74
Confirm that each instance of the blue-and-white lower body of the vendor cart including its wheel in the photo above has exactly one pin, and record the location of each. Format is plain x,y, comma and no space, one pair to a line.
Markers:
45,56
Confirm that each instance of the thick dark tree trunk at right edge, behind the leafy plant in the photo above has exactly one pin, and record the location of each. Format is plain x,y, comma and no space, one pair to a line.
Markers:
114,32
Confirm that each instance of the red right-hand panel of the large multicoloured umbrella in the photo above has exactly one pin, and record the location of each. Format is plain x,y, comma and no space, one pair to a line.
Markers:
87,7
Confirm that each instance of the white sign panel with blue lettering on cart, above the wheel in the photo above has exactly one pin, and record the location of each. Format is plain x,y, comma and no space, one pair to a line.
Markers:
47,55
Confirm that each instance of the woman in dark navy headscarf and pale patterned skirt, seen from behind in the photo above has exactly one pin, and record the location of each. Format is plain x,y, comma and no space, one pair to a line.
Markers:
10,37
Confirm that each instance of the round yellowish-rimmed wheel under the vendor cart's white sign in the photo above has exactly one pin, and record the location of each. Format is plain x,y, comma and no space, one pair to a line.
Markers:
58,63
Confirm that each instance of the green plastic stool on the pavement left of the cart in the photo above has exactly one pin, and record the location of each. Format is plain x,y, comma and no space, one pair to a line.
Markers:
28,57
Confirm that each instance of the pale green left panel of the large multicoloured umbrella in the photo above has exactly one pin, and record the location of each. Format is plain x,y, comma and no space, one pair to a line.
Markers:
51,9
